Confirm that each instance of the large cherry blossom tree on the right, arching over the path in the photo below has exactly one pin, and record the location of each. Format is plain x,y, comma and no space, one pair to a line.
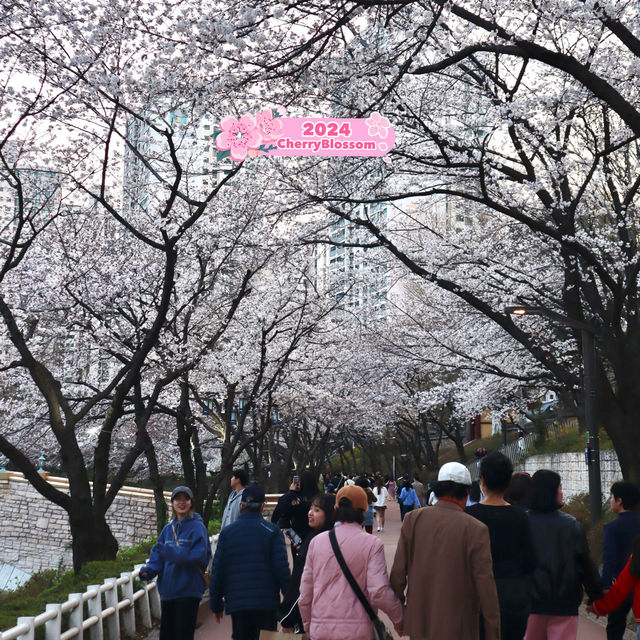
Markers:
523,118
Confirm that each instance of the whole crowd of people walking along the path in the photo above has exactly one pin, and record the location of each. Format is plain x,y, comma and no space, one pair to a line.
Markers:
495,559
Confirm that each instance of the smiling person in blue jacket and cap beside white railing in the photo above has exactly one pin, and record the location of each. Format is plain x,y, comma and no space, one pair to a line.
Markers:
179,559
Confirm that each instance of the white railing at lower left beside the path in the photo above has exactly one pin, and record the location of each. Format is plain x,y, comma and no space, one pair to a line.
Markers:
118,612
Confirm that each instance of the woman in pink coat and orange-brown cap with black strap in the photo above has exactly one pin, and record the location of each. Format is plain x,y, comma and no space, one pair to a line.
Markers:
329,608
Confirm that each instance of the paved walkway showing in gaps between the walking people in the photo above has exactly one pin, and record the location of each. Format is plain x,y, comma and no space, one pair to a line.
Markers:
588,629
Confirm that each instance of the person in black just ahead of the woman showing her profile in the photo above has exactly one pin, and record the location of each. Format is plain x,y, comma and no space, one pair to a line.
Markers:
292,509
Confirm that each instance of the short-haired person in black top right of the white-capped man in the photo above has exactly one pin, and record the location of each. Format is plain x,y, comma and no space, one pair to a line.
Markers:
512,549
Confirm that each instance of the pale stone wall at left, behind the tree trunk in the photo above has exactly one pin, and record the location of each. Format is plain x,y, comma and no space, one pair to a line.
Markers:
34,533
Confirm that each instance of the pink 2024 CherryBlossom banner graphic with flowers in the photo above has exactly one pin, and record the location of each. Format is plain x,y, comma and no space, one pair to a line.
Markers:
274,135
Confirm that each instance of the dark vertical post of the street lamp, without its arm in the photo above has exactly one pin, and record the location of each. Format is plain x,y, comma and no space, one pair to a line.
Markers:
589,363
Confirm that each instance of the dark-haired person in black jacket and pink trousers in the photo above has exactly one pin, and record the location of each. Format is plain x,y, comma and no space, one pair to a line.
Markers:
564,565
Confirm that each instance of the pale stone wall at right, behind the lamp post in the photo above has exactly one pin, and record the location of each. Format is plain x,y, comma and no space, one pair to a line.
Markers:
574,471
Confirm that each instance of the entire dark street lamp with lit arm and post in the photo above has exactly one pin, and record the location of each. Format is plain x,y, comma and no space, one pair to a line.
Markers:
588,331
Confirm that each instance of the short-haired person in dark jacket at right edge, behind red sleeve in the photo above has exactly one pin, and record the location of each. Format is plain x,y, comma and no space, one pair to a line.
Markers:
618,536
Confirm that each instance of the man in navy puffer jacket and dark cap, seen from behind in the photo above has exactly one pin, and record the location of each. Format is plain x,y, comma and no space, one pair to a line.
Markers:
250,568
